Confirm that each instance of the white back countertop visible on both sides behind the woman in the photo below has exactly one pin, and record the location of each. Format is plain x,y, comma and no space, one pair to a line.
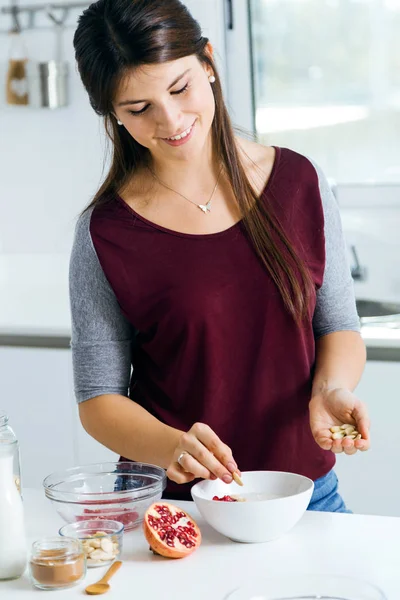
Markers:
34,301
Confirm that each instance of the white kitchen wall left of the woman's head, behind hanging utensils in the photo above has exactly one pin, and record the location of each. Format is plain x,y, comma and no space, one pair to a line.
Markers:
50,160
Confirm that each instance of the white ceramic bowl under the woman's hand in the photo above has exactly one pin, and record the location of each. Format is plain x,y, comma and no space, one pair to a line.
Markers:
255,520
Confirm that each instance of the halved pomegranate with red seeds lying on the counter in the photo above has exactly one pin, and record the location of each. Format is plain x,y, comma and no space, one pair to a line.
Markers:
170,531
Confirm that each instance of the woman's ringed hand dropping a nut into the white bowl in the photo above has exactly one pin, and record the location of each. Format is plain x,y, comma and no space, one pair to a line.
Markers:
203,455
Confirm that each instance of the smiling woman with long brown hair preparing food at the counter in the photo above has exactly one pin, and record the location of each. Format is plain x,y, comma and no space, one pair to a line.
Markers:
212,267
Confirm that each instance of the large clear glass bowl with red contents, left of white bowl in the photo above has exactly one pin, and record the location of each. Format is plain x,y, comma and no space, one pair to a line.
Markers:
108,491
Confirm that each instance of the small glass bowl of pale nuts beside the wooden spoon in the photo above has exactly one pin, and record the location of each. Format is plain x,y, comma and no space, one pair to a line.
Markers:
102,540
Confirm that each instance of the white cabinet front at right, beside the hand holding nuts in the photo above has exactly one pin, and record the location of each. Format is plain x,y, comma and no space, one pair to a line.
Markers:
369,482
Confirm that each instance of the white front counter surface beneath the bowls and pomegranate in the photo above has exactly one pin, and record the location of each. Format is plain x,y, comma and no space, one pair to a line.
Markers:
360,546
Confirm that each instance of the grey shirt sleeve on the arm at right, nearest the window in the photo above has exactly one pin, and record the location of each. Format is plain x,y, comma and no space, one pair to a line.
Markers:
336,307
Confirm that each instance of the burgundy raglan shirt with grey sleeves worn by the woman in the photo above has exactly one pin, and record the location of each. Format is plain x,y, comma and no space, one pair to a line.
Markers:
193,328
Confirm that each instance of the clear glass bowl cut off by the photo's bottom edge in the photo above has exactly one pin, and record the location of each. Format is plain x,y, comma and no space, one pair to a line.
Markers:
308,587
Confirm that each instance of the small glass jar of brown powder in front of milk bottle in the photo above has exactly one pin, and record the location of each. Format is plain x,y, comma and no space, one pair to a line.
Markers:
57,563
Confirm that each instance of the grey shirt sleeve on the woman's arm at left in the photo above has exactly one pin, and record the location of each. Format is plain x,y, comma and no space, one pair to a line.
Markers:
101,336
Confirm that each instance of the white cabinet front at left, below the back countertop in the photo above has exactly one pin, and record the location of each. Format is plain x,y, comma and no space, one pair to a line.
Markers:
37,393
